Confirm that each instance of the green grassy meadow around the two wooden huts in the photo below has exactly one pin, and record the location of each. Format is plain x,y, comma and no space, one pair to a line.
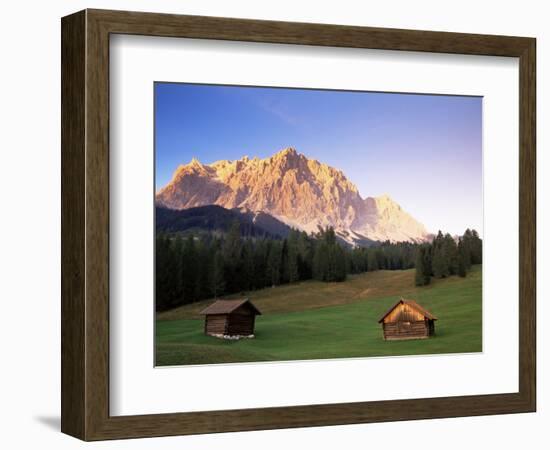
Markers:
313,320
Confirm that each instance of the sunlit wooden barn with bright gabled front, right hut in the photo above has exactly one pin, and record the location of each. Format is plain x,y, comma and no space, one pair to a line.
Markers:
407,320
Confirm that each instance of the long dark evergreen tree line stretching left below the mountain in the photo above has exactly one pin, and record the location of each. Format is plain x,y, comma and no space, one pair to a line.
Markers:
189,269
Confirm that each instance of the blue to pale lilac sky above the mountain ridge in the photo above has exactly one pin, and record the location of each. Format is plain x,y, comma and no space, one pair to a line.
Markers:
425,151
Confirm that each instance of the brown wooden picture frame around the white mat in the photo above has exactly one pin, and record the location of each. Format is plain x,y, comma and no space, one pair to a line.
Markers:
85,224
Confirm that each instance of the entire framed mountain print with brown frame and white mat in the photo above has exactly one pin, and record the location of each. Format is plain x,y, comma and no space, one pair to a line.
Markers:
271,224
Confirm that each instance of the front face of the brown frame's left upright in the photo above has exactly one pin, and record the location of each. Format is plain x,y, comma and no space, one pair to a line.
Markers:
97,226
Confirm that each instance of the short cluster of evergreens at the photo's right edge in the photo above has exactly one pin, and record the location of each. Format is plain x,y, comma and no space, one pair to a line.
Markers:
445,256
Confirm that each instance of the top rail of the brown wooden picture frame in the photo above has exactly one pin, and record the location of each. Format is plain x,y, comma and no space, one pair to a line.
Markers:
152,24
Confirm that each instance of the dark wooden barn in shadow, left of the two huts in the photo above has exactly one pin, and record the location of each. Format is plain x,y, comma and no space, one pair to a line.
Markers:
233,318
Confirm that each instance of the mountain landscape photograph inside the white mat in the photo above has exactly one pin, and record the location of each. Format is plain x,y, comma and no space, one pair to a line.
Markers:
296,224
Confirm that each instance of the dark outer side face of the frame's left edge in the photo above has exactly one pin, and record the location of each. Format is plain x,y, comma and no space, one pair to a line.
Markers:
73,108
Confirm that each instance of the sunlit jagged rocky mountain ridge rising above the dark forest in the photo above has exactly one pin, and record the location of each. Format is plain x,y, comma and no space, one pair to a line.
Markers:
301,192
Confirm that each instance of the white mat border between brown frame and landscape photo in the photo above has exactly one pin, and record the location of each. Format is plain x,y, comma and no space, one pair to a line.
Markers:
138,388
